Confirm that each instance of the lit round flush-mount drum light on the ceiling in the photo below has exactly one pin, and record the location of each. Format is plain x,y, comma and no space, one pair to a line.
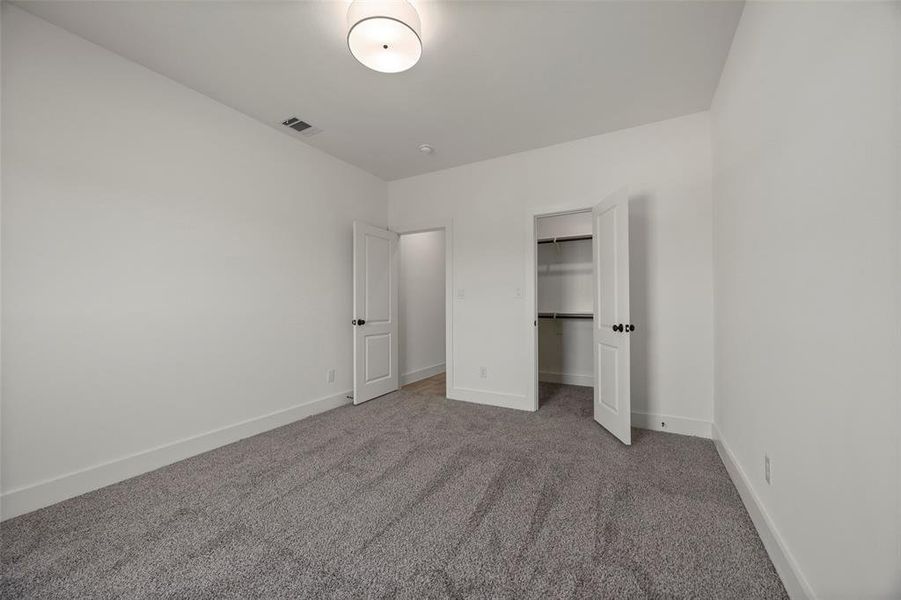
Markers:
384,34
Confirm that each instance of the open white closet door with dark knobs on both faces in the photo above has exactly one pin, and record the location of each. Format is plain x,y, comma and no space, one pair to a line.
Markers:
612,394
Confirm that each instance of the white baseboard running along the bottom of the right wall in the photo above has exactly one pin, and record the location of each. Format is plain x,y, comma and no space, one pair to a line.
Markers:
792,578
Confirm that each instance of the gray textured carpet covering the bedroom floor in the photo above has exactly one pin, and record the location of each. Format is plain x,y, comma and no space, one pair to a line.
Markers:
408,496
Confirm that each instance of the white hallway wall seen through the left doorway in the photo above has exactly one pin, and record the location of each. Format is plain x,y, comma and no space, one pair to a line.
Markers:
421,304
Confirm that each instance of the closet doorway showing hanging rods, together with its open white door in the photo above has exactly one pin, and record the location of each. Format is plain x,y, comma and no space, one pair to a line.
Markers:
580,312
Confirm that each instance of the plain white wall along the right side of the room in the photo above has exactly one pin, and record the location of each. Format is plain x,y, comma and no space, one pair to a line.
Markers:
807,311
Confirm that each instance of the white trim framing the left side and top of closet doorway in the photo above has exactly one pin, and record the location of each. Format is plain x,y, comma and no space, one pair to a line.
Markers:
531,287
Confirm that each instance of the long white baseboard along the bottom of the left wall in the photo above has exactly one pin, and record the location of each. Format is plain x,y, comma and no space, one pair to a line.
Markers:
32,497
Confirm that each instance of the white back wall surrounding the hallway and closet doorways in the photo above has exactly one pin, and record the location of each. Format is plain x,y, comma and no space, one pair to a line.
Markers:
667,167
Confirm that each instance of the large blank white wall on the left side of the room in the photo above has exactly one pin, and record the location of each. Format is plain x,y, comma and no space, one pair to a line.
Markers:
170,267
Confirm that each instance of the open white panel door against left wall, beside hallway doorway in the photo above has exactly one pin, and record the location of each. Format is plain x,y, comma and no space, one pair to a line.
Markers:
375,312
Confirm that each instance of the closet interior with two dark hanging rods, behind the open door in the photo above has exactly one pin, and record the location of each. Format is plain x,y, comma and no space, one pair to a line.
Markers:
565,304
